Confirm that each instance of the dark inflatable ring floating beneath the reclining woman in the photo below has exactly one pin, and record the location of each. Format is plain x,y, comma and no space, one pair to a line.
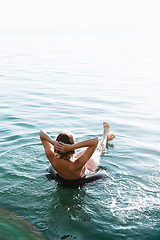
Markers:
99,174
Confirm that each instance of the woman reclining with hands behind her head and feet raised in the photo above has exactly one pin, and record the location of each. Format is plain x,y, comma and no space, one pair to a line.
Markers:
62,157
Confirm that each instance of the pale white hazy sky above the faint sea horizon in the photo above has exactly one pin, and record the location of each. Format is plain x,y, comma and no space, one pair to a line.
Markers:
113,15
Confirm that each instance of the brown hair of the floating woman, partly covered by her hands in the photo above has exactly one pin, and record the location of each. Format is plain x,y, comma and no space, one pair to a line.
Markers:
65,138
